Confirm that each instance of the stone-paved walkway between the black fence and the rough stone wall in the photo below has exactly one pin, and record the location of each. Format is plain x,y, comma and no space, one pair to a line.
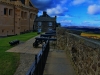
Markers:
58,64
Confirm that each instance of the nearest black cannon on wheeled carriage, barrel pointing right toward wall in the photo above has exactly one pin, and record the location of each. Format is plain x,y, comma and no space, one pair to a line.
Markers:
41,40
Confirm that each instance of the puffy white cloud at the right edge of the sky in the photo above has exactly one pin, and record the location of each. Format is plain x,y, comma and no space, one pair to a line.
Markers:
94,9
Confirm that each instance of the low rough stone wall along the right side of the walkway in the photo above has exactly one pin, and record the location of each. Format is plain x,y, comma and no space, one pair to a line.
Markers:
84,53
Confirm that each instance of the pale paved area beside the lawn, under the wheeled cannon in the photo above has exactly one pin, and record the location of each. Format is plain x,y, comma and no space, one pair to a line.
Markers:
26,47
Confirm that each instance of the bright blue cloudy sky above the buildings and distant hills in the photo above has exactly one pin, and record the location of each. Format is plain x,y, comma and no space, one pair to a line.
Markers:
71,12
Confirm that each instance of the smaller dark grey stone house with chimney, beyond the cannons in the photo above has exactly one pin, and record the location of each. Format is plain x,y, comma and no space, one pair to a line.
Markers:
45,23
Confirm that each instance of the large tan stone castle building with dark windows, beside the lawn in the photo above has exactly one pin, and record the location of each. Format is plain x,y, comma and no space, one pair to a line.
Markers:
16,16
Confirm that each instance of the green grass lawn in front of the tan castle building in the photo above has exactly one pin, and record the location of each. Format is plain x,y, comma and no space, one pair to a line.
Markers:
10,61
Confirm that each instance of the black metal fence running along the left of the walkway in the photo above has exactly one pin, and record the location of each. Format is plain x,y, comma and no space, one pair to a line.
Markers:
37,67
